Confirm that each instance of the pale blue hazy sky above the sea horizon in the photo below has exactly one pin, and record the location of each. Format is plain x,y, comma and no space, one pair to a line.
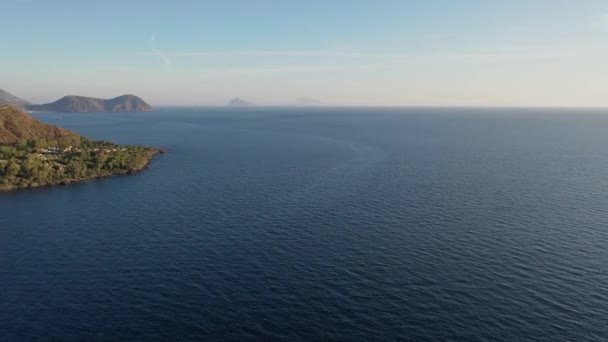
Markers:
341,52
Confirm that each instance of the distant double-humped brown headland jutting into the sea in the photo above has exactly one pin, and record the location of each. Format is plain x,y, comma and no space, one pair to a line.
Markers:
82,104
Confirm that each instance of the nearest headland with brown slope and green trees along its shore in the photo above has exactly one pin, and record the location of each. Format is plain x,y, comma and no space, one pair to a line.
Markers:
34,154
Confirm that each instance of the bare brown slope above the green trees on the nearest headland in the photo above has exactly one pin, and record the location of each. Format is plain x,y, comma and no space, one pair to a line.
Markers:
16,125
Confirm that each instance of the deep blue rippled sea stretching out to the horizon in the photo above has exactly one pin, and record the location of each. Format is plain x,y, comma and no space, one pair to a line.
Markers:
318,224
